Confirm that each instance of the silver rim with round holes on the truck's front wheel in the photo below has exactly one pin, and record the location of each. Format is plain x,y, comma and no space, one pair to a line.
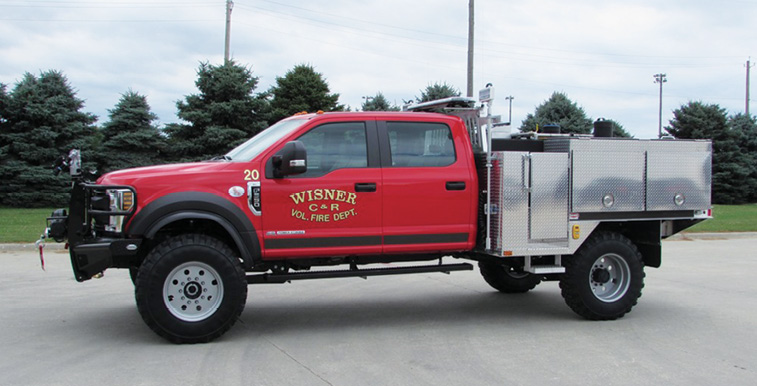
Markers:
193,291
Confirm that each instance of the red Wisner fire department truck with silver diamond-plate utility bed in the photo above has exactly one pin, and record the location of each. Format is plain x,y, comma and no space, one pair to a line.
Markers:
355,189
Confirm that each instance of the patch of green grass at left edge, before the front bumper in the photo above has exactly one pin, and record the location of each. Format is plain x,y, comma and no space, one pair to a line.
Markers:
22,225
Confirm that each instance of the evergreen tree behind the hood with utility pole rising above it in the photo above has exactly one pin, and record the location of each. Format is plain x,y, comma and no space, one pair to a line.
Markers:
224,114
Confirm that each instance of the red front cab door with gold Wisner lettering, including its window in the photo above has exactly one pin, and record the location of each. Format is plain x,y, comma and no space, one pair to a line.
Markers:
334,209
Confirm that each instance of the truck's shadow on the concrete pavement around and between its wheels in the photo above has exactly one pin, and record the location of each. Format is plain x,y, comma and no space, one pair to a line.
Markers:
541,309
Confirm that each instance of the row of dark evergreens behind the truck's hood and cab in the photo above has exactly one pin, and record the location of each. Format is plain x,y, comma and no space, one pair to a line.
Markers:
41,118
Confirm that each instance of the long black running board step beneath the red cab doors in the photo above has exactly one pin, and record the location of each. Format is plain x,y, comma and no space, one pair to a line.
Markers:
364,273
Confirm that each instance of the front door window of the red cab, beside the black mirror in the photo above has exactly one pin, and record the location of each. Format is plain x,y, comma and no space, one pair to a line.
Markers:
335,146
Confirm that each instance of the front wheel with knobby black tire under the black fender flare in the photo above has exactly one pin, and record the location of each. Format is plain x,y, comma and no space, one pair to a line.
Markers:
191,289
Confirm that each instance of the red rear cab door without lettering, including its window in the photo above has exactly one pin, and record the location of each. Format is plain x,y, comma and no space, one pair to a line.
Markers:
427,188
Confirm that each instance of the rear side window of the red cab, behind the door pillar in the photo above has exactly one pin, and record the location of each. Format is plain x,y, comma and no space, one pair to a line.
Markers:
420,144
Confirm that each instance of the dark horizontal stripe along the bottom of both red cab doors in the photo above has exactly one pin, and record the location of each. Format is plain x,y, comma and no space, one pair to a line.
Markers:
324,242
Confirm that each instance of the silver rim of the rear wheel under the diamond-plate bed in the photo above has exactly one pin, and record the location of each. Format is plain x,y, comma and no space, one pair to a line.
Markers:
609,278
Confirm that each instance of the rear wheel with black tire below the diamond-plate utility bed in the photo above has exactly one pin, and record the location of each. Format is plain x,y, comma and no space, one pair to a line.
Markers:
604,279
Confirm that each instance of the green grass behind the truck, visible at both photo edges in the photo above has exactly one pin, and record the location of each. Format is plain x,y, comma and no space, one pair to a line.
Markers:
25,225
